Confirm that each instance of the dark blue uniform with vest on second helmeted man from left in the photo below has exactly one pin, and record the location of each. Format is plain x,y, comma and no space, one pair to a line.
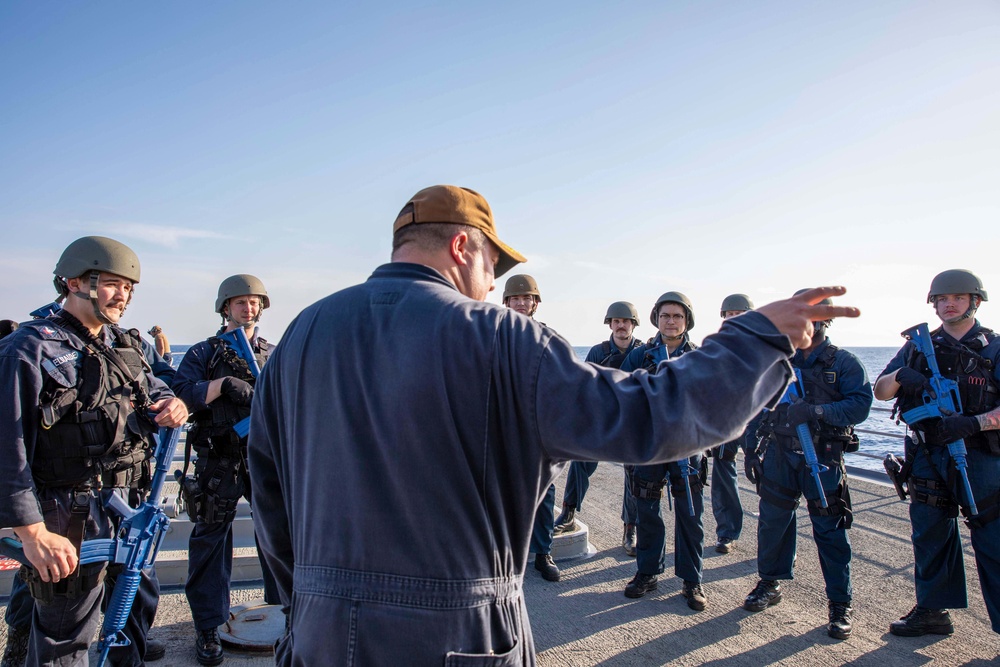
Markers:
220,457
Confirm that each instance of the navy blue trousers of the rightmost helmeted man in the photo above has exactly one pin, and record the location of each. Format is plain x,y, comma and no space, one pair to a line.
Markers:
939,569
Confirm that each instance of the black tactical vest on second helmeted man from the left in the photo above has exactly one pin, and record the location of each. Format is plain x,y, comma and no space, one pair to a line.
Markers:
213,427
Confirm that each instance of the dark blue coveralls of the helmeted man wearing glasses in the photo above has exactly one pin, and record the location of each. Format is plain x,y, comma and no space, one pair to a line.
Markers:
689,531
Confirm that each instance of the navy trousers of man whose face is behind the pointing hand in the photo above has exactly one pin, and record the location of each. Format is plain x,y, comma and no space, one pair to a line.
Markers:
776,531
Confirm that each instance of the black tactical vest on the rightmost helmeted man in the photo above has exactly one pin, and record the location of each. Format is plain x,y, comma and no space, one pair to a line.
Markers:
977,388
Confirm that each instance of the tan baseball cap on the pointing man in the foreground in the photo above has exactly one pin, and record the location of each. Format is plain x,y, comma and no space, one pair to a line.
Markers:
458,206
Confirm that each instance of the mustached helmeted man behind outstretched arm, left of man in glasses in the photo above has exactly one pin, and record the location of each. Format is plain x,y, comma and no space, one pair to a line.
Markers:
622,318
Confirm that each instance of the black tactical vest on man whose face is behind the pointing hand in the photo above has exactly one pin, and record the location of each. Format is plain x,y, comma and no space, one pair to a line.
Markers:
819,382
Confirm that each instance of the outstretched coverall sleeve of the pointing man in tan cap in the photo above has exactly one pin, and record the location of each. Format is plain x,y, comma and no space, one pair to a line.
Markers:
686,406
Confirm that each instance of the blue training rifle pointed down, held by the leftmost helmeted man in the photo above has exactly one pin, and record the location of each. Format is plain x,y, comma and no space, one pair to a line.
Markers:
135,546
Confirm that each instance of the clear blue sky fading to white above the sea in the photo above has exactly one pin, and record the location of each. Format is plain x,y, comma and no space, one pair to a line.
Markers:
626,148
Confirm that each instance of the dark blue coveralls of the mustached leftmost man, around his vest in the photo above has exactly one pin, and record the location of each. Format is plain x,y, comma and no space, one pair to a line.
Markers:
40,357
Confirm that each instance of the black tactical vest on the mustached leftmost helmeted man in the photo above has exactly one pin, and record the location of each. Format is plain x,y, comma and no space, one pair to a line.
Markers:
99,429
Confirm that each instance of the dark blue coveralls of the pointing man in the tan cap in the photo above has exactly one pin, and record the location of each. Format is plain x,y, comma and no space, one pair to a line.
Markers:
482,433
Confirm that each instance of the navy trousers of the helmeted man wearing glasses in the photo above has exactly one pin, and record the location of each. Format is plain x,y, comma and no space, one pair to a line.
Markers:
689,532
